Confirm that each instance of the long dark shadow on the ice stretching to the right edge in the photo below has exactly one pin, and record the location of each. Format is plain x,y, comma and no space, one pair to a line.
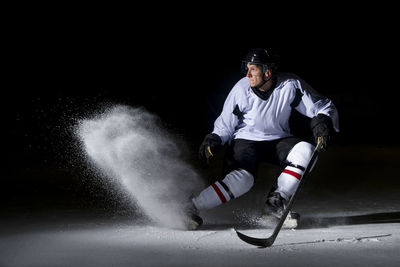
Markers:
318,222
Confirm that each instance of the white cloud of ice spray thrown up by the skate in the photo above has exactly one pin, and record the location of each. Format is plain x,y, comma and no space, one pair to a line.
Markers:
128,146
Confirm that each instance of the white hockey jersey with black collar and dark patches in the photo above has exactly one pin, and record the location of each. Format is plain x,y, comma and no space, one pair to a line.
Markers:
246,115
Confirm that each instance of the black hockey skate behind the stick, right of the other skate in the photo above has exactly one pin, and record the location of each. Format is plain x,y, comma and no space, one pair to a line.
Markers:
274,208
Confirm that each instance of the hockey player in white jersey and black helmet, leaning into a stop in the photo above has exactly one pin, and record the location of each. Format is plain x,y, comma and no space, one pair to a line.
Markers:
255,123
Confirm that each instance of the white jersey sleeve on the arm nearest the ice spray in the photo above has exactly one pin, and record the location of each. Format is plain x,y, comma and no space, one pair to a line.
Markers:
225,124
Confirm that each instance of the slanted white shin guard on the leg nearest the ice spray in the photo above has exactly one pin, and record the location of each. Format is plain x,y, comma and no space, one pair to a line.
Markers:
235,184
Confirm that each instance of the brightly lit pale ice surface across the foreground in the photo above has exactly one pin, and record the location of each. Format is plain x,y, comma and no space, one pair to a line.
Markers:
123,244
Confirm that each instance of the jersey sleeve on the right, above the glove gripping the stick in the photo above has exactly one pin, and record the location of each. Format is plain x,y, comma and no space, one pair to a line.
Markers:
310,103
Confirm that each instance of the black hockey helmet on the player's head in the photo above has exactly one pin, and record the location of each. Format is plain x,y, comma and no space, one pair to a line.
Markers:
260,56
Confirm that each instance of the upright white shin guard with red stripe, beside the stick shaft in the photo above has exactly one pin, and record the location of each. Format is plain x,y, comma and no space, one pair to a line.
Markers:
298,157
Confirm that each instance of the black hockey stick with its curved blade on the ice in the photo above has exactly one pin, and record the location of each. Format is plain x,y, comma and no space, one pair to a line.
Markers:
267,242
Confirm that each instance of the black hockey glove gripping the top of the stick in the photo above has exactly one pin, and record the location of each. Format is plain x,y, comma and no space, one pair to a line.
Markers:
321,126
